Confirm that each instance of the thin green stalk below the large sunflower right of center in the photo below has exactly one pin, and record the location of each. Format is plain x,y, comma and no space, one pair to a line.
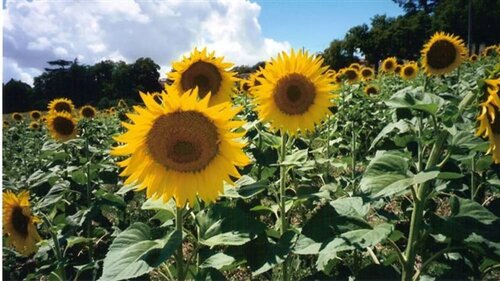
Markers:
283,221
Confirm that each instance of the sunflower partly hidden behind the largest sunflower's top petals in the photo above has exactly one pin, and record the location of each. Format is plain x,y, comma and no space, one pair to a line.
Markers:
207,72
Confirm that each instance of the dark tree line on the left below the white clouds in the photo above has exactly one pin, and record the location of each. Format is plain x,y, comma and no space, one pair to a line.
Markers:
99,85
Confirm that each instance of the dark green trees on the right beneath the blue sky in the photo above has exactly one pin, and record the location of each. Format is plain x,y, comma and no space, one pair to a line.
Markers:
403,36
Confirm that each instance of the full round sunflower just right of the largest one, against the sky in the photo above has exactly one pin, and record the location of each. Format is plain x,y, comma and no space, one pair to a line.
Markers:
295,93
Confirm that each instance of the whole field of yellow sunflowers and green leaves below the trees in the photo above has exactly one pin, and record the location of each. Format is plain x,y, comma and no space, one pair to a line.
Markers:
296,172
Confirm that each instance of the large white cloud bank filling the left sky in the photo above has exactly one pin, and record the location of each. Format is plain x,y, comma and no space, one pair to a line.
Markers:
38,31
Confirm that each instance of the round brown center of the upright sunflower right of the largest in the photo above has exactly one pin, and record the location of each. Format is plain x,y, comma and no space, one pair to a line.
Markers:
294,94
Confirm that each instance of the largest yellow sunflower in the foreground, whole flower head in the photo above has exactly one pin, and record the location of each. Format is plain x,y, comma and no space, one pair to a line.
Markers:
182,147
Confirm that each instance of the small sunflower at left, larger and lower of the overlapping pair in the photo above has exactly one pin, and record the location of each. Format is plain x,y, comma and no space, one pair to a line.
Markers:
61,125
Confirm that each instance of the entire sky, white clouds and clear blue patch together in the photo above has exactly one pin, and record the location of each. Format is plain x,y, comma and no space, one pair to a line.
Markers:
243,31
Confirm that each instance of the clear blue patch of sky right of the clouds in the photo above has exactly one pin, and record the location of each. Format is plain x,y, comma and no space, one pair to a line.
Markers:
314,24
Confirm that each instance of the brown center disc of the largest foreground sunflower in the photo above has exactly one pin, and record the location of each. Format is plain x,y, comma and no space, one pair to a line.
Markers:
184,141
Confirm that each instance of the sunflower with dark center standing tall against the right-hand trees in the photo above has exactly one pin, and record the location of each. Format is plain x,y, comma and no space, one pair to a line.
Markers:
443,53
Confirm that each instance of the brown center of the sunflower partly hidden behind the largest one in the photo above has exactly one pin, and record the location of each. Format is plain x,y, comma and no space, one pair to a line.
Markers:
203,75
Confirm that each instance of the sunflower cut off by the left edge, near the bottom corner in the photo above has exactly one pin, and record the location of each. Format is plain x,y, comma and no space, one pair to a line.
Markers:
19,223
